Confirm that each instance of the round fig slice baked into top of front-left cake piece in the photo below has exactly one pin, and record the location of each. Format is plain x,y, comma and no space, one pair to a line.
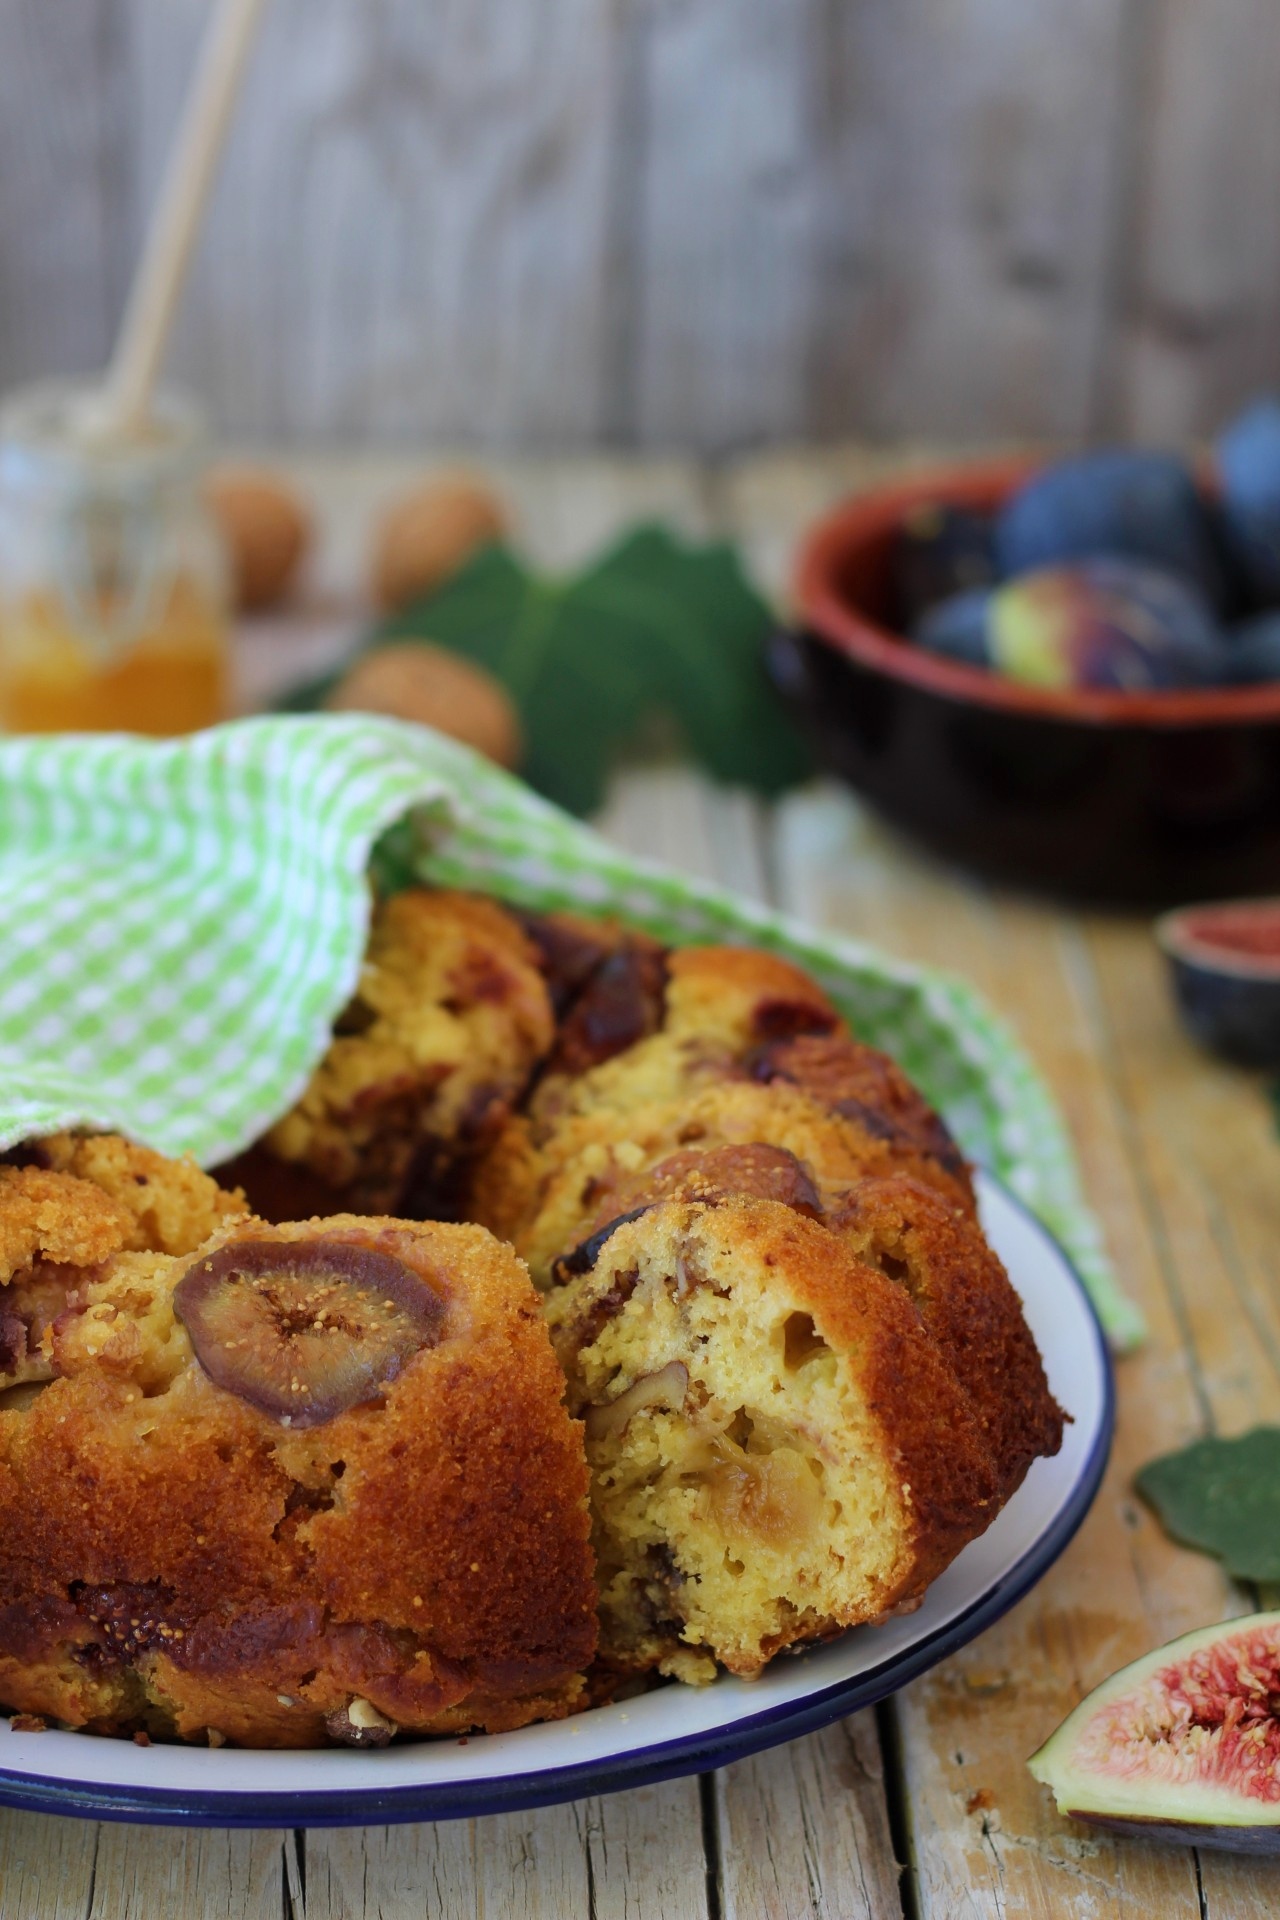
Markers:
306,1330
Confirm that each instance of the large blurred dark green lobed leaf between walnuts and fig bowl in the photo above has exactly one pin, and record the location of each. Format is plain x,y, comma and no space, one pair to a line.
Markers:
652,629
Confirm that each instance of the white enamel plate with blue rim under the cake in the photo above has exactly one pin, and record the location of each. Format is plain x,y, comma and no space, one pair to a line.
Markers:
673,1731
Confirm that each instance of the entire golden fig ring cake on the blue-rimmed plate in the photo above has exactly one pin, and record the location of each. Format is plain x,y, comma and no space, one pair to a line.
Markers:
298,1483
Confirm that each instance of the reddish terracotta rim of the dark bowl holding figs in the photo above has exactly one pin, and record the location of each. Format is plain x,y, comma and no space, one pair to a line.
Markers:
834,619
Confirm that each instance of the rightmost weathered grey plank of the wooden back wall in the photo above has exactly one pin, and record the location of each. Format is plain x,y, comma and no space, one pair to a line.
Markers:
1200,266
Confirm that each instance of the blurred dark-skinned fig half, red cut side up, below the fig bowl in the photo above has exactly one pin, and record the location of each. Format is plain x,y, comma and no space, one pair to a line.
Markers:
1225,965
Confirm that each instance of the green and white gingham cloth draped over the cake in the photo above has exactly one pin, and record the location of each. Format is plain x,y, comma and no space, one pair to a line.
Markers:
183,921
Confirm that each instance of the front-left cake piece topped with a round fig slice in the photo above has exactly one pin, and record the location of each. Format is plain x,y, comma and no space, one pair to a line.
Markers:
289,1487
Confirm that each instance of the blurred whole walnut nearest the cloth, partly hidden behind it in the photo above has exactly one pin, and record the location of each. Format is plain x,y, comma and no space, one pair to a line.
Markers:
414,681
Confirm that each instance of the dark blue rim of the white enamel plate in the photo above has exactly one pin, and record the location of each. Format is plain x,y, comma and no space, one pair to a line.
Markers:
694,1754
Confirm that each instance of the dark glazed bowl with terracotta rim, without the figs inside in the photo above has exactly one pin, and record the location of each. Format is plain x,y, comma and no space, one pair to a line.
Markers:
1114,798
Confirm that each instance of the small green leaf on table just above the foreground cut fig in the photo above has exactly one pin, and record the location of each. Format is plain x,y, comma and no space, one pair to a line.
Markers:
1223,1497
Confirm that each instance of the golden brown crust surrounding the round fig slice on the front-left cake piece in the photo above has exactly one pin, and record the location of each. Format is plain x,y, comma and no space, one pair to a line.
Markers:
181,1562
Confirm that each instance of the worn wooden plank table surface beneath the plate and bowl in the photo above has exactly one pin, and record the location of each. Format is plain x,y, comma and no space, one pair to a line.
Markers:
922,1808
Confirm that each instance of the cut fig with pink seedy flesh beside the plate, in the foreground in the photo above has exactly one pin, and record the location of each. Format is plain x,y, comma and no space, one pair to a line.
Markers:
1183,1746
